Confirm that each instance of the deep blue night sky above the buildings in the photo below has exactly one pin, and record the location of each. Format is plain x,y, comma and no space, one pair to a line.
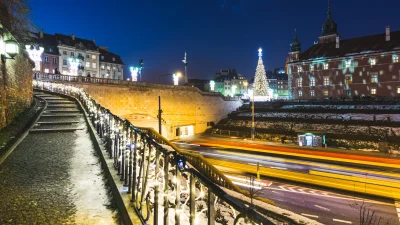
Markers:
216,33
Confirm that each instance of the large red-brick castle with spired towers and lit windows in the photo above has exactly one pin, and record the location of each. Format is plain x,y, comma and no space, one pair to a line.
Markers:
334,68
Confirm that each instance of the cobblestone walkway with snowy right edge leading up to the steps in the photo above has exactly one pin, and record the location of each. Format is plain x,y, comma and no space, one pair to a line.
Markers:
55,178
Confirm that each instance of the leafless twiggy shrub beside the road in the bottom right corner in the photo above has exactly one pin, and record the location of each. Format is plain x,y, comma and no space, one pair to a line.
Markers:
368,215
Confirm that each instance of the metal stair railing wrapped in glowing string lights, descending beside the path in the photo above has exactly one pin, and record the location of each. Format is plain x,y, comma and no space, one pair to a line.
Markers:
160,179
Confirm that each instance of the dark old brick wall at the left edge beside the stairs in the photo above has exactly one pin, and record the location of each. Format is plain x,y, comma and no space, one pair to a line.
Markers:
15,87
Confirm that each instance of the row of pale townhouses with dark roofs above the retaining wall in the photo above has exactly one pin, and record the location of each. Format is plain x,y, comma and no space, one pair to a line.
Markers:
70,55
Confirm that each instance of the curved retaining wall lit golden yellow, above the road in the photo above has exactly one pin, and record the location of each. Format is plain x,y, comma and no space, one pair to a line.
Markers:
181,105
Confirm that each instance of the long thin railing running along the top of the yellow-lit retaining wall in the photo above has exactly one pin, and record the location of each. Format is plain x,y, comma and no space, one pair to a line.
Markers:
82,79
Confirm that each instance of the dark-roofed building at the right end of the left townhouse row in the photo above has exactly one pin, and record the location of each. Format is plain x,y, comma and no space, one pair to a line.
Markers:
111,65
